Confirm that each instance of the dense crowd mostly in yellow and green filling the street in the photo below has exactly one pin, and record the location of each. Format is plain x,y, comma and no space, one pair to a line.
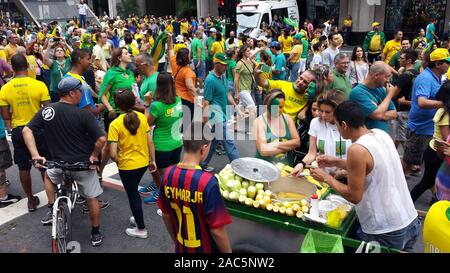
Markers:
81,92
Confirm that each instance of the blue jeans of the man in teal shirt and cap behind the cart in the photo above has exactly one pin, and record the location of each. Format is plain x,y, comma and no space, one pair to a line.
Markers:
225,136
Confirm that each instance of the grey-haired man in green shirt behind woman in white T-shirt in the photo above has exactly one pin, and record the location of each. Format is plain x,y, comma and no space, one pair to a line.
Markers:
341,81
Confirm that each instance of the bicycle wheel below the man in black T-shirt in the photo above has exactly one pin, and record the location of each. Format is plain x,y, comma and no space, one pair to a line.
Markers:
63,229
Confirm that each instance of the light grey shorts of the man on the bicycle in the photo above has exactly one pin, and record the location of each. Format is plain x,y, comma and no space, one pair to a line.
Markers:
87,181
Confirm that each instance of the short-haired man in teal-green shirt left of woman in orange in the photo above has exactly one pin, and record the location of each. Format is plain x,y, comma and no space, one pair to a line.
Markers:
145,67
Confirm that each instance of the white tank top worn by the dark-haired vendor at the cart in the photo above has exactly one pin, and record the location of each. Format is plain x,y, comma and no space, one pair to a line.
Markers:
386,204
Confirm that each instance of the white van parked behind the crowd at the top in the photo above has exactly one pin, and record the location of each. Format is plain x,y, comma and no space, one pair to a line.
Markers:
253,14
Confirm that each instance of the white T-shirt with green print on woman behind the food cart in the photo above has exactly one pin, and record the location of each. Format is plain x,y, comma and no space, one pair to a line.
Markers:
329,141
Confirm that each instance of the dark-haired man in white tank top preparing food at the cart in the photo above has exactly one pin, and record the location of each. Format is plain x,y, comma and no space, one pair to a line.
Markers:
376,182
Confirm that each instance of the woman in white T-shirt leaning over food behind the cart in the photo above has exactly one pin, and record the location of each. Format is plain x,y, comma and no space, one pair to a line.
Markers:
324,137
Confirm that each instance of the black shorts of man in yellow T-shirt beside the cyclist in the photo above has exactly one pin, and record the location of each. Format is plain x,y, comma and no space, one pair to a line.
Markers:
22,156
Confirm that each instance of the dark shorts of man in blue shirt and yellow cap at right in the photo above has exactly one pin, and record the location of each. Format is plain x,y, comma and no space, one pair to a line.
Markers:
415,146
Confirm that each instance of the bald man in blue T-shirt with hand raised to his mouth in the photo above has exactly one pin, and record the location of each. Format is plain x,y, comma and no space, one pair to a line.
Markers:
375,95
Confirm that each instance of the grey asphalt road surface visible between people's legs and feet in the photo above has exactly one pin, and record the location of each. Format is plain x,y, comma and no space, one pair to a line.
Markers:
25,233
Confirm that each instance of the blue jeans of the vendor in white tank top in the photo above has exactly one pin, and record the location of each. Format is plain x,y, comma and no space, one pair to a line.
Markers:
403,239
